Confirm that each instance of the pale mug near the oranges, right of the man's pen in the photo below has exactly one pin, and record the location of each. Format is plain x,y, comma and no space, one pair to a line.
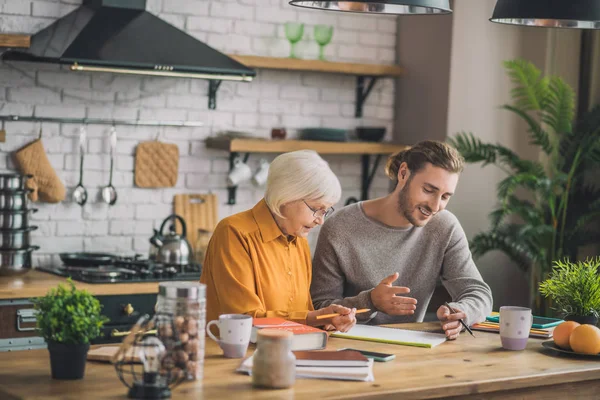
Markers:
515,323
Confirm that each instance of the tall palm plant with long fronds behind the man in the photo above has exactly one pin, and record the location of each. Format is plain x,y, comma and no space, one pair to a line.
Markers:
552,214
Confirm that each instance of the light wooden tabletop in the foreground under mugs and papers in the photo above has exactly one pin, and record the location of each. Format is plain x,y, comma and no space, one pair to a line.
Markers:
466,368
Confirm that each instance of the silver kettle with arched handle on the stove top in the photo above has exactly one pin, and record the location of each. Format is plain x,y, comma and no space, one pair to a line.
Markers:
171,248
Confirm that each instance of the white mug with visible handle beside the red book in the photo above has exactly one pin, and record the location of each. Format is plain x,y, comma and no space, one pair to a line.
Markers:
234,332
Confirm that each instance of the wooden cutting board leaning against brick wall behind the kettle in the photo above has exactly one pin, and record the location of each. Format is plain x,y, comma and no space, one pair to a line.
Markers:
200,211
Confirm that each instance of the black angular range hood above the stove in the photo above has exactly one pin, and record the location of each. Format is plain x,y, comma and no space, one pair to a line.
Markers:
120,36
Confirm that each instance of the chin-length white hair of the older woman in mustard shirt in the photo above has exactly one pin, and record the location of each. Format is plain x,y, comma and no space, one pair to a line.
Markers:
300,175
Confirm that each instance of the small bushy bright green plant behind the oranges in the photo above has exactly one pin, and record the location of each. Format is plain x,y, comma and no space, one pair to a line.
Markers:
574,288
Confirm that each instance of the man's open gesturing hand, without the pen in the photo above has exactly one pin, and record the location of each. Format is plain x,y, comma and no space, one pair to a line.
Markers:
385,299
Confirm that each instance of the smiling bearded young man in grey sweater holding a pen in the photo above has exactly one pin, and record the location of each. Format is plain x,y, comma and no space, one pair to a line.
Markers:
387,254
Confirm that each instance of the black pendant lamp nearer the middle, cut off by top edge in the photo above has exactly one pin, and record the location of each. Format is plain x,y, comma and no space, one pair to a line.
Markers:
413,7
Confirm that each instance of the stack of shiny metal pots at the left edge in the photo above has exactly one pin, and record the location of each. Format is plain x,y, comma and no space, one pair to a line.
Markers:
15,245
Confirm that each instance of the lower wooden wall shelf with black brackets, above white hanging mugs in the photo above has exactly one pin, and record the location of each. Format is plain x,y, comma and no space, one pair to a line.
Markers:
366,149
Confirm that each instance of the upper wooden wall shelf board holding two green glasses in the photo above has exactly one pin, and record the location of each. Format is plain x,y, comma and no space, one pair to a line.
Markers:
293,64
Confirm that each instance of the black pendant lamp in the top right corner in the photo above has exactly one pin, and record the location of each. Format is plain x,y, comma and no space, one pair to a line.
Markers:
579,14
